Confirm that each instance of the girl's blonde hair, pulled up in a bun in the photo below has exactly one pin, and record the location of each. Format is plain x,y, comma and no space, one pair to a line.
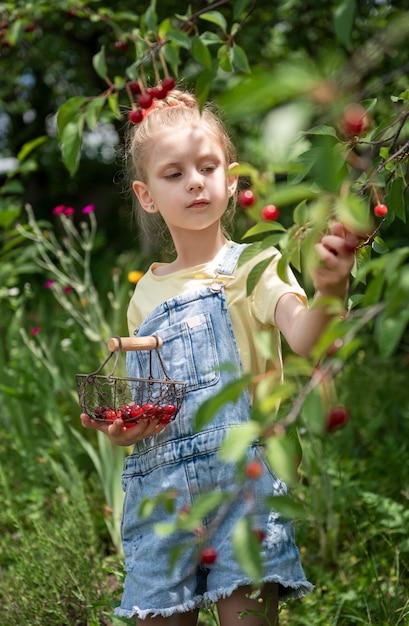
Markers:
178,109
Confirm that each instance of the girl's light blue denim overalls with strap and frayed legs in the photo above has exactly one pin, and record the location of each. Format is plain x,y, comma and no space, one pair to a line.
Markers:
198,338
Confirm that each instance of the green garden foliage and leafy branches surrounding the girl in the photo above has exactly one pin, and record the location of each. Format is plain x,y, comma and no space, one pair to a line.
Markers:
283,74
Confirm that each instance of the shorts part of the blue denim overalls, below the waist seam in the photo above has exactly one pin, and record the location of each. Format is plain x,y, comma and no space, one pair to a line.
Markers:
163,573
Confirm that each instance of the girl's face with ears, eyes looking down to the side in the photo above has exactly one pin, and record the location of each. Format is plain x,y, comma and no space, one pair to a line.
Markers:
187,179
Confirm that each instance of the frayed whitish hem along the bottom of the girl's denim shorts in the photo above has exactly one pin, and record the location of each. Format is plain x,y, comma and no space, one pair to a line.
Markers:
287,592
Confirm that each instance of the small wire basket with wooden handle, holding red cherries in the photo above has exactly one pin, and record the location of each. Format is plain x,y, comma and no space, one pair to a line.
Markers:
107,397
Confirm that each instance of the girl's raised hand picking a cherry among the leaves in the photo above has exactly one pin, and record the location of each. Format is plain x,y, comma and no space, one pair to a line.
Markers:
336,252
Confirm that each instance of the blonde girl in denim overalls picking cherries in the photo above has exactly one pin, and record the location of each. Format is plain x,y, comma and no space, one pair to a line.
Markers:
183,175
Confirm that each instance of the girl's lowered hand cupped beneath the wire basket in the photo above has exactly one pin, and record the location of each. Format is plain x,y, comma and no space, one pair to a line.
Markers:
121,436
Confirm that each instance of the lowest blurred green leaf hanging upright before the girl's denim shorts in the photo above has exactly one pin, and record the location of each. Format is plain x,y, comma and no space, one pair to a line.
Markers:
247,549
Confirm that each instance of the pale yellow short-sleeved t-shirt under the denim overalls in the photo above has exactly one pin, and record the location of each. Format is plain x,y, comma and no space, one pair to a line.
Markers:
249,314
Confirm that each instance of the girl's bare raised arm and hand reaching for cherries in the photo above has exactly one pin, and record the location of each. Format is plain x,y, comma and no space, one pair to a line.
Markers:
302,326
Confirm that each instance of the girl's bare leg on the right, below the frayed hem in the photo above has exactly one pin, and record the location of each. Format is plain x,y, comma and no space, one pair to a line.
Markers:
239,605
